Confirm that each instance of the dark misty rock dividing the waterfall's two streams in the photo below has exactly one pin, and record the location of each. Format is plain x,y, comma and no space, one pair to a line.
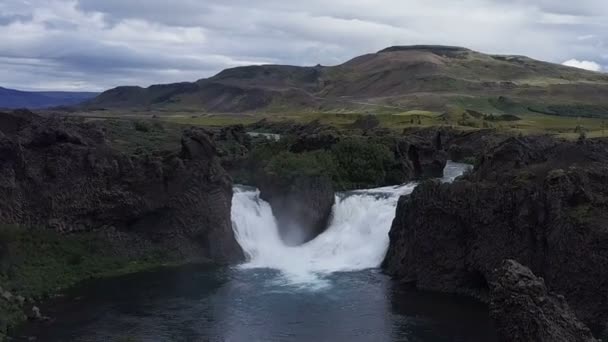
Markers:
302,206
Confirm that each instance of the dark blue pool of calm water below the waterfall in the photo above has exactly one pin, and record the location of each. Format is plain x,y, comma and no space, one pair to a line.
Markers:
204,303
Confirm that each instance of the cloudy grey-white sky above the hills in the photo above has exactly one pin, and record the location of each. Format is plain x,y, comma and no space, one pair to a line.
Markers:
99,44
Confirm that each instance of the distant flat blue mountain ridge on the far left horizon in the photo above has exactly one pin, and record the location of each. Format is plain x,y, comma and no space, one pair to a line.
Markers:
10,98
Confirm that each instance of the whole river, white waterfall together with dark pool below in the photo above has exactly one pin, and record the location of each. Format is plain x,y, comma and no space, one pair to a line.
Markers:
329,289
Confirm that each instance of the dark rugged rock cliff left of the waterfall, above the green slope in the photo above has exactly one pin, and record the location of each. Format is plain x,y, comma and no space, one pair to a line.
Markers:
61,175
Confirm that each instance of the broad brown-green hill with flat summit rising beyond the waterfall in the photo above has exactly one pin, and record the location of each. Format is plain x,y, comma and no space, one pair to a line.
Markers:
398,78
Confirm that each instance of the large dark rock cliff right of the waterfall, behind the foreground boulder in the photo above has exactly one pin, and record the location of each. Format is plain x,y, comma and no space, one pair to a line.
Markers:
515,205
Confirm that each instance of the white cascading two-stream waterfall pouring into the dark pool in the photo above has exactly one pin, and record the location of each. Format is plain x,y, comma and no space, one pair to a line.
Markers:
356,239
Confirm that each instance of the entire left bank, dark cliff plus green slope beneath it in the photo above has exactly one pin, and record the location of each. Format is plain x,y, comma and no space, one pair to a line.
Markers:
73,207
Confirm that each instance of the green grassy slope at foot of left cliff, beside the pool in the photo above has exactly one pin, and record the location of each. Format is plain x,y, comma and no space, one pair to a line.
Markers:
38,265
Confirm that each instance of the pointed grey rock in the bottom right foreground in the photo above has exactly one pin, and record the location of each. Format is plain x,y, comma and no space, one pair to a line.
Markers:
524,310
